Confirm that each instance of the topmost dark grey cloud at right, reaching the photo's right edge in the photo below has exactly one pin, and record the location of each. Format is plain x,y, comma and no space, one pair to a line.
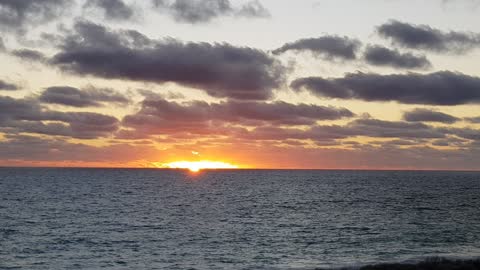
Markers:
424,37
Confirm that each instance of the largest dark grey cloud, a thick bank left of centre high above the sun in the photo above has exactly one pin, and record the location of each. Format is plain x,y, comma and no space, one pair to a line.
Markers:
220,69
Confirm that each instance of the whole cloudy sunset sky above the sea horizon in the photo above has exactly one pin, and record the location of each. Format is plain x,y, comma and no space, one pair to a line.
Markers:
306,84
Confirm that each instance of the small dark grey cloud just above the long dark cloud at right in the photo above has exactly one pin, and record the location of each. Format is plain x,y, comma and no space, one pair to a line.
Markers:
381,56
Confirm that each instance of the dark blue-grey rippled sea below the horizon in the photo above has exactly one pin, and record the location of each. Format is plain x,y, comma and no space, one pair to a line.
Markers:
158,219
